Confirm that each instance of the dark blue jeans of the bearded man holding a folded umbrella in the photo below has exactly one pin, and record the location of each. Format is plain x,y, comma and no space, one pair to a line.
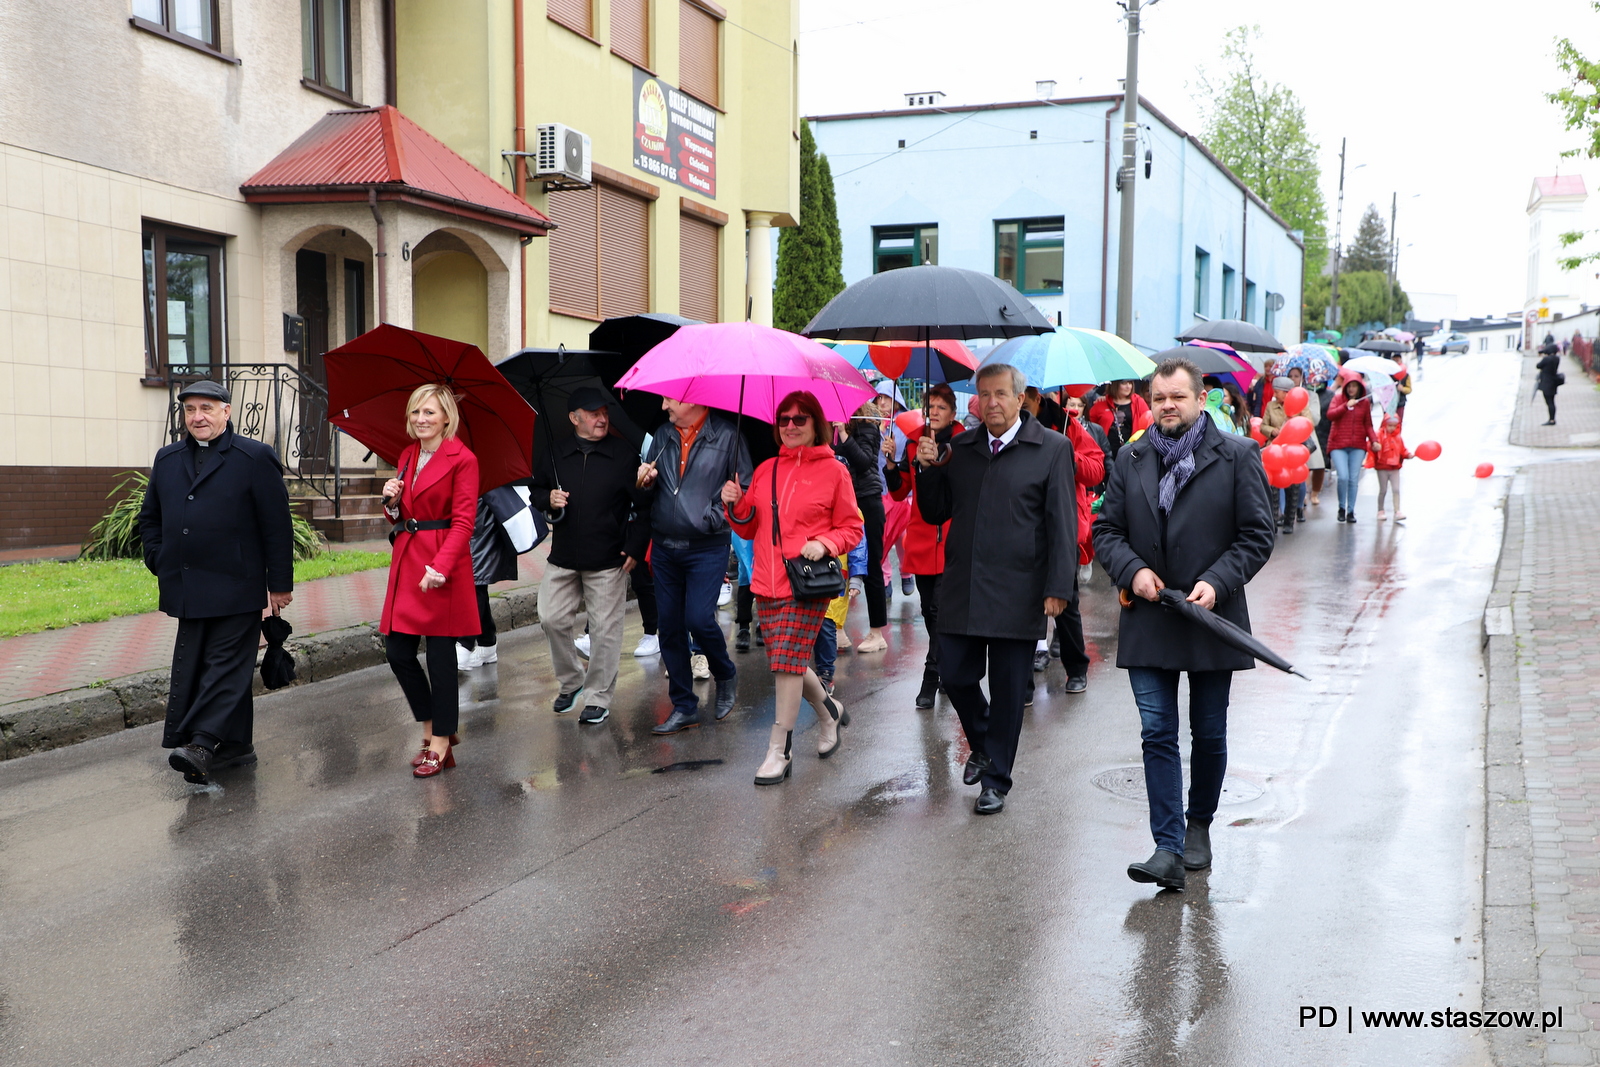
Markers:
1156,693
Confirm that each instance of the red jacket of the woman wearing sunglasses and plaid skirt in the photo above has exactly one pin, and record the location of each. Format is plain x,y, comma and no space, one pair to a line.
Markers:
817,502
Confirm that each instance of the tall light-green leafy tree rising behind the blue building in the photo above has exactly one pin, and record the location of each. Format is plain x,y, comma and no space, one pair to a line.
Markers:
1258,130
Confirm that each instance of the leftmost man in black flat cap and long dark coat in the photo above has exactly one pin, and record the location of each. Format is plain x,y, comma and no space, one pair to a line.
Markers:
218,535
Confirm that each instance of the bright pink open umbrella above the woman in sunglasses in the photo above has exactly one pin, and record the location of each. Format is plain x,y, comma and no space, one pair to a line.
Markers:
748,369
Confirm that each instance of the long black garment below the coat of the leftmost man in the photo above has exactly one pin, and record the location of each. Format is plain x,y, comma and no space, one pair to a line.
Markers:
214,661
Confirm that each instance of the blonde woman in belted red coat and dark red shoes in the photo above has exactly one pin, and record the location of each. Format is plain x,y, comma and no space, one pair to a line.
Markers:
431,570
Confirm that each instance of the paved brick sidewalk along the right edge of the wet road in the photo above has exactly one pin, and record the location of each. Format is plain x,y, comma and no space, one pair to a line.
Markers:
1554,578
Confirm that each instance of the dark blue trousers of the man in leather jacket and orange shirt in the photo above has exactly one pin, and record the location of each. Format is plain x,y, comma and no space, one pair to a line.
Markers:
687,588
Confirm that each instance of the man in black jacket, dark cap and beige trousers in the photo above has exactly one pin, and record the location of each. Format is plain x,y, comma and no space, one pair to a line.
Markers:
599,532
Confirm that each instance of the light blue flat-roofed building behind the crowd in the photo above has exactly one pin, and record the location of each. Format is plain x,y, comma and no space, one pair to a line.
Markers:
1028,193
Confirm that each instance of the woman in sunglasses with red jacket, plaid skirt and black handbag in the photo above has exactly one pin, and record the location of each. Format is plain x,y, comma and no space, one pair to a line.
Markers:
817,518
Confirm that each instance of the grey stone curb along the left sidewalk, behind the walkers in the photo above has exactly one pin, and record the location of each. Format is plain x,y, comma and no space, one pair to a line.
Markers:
63,719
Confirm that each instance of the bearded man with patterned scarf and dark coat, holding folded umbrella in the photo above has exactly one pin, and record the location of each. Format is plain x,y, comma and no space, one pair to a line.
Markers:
1186,508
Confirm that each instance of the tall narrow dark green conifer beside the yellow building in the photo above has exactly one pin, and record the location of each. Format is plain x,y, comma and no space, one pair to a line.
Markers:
812,255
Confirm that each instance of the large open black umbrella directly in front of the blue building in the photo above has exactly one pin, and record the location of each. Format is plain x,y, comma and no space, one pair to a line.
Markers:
924,305
